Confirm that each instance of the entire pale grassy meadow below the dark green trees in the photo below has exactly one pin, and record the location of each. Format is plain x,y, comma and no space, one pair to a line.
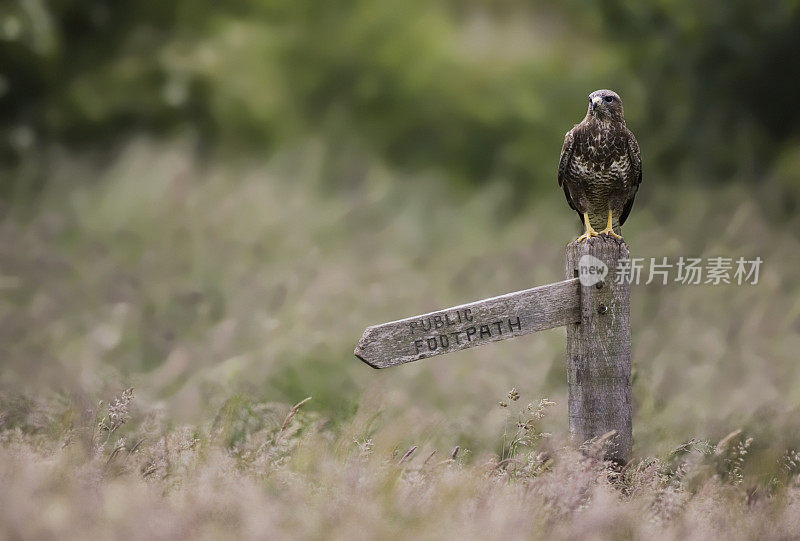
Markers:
224,294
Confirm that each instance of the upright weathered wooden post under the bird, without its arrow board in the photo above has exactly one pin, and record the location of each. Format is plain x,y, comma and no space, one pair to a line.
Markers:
599,347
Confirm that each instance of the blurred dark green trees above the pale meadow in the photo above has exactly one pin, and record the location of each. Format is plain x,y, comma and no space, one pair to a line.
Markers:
479,89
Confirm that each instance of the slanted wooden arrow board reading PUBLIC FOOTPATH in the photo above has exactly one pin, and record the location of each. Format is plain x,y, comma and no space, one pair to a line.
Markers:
470,325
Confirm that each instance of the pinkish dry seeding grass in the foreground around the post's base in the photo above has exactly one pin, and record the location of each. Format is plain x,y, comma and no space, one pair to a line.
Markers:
275,471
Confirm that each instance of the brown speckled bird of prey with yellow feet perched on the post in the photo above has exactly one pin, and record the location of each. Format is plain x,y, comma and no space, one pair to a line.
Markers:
601,167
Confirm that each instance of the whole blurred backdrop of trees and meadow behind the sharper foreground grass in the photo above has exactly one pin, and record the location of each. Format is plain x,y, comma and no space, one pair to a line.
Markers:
203,199
